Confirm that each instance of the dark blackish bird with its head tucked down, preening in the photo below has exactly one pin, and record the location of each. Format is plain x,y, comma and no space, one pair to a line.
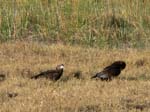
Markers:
110,71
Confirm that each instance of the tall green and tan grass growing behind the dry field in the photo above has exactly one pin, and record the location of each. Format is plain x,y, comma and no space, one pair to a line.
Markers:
90,23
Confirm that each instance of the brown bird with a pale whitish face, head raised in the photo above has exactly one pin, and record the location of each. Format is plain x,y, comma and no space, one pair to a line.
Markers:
51,74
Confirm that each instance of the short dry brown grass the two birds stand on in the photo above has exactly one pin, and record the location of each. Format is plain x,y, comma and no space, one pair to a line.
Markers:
21,60
